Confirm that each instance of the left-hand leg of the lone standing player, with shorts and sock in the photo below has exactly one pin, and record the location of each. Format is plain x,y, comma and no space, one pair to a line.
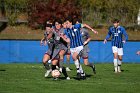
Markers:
115,52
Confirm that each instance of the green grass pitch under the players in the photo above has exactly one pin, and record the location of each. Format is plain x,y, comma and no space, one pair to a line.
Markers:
29,78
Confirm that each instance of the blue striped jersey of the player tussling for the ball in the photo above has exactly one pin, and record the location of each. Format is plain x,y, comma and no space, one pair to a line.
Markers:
75,36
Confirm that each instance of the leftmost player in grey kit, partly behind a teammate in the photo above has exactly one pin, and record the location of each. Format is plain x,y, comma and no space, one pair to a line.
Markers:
48,39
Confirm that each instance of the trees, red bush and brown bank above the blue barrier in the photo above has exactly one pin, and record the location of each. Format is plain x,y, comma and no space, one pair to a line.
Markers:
96,13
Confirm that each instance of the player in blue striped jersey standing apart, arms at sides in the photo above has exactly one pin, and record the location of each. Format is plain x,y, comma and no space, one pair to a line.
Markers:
117,41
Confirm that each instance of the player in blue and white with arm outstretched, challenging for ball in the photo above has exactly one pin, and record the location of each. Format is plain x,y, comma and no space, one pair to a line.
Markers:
76,45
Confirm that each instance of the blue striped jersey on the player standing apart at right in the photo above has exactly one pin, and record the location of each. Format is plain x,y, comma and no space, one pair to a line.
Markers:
117,36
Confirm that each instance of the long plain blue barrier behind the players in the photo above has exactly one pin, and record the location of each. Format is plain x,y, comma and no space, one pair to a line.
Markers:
20,51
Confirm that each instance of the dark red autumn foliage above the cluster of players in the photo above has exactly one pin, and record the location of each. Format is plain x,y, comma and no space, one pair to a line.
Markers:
40,11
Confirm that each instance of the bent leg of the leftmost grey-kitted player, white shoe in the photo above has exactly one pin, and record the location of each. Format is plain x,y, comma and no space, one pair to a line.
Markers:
46,64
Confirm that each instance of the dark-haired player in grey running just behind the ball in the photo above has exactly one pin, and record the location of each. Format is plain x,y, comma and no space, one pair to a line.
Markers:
60,48
